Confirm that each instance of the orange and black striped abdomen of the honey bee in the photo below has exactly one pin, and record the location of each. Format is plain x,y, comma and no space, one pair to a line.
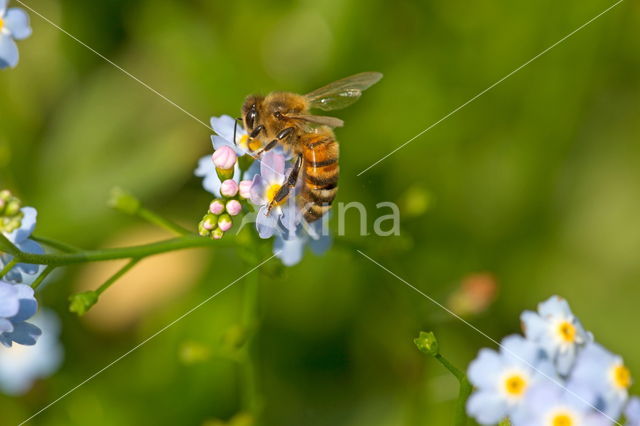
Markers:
320,173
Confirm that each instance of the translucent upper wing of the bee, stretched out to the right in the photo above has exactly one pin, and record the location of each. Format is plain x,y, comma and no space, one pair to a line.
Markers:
342,93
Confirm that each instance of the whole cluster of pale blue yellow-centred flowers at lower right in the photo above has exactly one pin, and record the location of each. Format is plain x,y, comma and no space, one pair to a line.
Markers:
555,375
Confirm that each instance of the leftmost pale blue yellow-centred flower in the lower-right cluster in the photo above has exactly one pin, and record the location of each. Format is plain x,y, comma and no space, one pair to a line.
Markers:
503,379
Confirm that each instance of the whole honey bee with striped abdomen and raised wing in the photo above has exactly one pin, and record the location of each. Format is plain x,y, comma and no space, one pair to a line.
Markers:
283,118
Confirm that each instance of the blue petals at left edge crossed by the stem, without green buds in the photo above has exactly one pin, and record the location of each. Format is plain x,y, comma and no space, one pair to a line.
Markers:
21,239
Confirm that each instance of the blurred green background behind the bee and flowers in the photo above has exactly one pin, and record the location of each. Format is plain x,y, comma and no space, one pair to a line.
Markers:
536,183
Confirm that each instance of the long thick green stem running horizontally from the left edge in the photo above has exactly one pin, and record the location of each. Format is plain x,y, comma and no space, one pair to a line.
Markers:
58,259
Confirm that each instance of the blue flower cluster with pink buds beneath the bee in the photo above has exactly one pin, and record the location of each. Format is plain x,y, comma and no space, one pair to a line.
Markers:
247,188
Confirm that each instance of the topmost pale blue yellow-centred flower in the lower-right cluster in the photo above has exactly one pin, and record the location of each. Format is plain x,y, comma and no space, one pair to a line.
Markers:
557,331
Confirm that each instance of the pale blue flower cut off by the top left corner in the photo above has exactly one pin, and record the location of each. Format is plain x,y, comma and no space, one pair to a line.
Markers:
14,25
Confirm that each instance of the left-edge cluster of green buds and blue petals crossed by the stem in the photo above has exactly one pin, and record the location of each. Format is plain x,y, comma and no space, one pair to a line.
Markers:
17,224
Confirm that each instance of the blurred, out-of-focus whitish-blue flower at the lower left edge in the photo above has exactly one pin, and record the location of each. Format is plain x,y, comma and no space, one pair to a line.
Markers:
21,366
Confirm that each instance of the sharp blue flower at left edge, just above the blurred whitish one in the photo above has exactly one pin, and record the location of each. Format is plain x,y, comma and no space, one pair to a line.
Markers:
17,305
